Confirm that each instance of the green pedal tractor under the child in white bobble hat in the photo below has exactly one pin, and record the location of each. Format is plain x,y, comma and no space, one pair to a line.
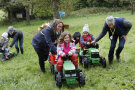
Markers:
91,56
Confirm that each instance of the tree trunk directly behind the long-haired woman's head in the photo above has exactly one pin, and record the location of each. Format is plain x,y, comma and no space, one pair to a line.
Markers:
55,9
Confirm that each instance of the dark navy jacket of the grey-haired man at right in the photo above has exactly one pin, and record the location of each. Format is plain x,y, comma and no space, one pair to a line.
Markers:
122,27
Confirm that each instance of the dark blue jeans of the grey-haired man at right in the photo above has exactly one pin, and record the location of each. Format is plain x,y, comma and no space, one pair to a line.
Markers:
113,45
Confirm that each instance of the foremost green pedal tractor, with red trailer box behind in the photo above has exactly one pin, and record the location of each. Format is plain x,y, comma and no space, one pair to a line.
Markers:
69,74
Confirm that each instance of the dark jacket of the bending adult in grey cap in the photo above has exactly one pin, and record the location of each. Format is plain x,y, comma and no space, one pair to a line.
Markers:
16,36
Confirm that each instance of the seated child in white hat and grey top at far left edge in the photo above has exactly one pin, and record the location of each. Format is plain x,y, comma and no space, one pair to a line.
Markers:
4,45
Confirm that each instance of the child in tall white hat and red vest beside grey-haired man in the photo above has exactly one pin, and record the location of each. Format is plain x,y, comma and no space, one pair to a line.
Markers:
87,38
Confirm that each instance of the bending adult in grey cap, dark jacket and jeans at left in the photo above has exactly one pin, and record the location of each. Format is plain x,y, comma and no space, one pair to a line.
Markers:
17,36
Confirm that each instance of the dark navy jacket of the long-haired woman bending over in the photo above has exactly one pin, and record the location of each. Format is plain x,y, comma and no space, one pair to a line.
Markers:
45,38
